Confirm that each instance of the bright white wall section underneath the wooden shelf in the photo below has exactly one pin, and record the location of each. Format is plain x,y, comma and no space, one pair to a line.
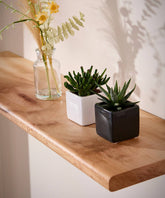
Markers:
60,179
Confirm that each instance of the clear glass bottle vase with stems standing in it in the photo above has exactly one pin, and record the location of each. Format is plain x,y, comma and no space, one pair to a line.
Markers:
47,78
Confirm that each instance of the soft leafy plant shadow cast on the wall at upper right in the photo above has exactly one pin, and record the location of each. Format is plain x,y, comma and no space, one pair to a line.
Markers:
128,37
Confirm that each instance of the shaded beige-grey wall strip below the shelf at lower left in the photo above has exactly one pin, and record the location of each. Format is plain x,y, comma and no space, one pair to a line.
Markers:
14,161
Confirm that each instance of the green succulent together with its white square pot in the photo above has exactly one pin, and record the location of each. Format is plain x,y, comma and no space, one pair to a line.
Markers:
81,97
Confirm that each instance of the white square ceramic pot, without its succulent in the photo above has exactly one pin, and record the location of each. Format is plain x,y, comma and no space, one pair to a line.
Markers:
81,109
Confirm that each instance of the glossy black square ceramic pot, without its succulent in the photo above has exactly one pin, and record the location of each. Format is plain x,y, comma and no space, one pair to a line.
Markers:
116,126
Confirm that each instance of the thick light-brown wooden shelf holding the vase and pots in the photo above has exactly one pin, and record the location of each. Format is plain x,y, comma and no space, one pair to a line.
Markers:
114,166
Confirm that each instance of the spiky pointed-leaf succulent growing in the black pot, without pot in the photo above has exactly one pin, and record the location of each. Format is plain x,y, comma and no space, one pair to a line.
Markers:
116,99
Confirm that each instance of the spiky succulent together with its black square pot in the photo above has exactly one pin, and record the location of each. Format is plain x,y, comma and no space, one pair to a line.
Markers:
117,118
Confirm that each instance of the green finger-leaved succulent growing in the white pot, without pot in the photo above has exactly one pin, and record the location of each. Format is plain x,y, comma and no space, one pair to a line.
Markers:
85,83
